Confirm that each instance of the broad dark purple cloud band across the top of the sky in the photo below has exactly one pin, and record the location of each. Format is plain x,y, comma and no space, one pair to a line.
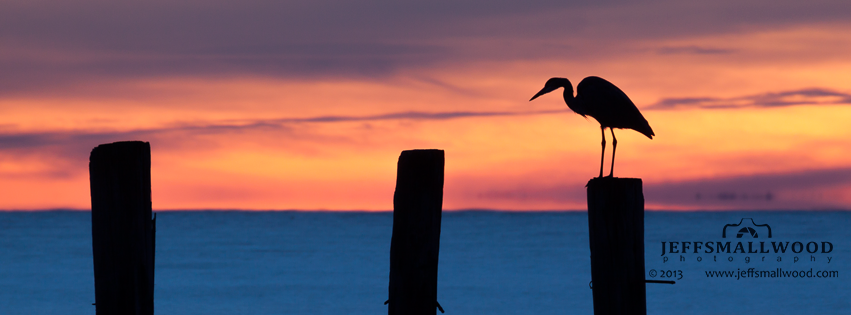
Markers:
44,44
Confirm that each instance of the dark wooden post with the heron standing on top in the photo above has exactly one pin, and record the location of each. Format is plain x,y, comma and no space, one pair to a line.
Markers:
616,227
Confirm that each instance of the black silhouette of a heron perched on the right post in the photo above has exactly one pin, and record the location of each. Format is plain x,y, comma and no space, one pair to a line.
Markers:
604,101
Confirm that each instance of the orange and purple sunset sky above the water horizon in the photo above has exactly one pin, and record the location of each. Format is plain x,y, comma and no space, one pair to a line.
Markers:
307,104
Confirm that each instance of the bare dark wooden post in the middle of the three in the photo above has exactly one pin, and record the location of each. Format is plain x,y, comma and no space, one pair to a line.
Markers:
414,246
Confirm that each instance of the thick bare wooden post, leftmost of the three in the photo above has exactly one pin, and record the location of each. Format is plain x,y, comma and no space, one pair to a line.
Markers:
122,228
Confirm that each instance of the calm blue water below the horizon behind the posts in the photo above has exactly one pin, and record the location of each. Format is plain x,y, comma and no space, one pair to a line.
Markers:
490,263
